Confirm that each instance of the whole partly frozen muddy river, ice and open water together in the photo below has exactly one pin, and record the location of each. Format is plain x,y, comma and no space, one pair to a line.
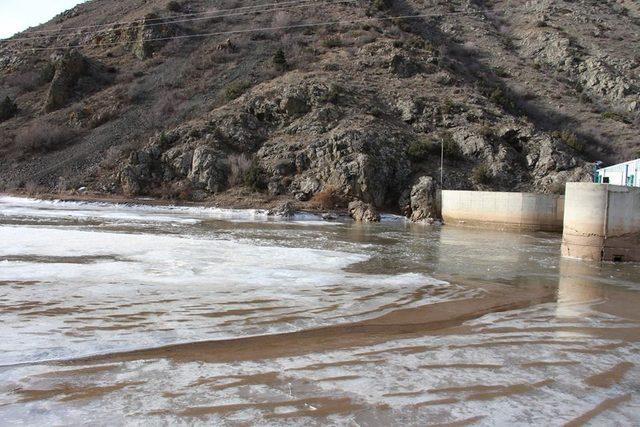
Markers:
113,314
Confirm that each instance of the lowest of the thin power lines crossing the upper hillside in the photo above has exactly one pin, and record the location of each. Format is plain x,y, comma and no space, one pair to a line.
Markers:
279,28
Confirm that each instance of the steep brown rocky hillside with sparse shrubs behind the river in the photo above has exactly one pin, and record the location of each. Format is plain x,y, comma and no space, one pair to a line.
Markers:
322,102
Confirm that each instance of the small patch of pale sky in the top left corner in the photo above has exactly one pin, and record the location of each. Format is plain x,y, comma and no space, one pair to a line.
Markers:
18,15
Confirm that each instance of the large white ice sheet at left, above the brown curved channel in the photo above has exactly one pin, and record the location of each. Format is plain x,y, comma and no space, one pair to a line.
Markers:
105,291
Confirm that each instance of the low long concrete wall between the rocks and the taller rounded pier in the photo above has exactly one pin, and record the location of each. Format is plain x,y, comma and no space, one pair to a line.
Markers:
524,211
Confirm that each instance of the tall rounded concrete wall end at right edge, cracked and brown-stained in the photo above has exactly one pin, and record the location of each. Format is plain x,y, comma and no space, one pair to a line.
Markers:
602,222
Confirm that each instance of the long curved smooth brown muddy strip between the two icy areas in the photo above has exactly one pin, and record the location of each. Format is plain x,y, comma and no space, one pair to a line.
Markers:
443,318
